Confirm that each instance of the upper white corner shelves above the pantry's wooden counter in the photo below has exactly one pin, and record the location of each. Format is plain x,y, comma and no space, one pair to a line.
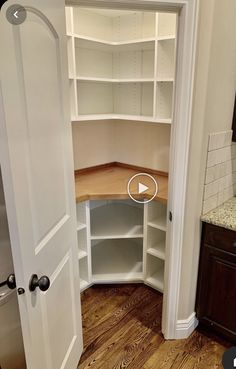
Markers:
121,64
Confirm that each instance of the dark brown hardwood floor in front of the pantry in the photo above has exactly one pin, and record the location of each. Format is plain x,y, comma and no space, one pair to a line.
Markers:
122,329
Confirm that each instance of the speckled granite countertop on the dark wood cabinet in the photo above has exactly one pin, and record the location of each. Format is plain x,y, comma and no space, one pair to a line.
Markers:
223,216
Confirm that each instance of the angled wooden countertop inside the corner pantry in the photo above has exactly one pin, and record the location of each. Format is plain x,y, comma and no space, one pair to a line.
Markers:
110,182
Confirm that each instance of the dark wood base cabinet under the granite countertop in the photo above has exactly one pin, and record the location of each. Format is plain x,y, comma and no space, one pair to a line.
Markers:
216,295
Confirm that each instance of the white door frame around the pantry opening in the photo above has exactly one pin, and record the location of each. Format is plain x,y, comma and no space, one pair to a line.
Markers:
180,141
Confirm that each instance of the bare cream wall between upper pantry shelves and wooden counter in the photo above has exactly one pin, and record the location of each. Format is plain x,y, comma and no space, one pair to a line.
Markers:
137,143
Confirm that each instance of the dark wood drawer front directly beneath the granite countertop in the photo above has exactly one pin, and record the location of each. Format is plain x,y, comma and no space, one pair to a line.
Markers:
219,237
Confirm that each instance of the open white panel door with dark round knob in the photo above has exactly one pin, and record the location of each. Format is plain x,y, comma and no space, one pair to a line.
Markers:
37,167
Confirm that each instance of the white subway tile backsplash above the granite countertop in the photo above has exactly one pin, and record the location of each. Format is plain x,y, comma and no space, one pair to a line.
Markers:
220,177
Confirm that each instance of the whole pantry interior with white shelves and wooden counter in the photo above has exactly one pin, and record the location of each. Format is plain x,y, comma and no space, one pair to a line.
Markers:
122,67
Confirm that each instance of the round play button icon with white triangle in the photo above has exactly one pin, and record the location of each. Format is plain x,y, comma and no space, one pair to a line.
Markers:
142,188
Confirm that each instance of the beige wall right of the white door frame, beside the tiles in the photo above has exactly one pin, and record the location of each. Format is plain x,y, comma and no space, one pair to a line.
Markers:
215,84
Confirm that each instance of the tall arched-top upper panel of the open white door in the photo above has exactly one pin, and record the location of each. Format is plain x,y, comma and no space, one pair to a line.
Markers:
41,77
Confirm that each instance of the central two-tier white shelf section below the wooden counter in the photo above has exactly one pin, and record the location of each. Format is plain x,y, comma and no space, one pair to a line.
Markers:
117,241
